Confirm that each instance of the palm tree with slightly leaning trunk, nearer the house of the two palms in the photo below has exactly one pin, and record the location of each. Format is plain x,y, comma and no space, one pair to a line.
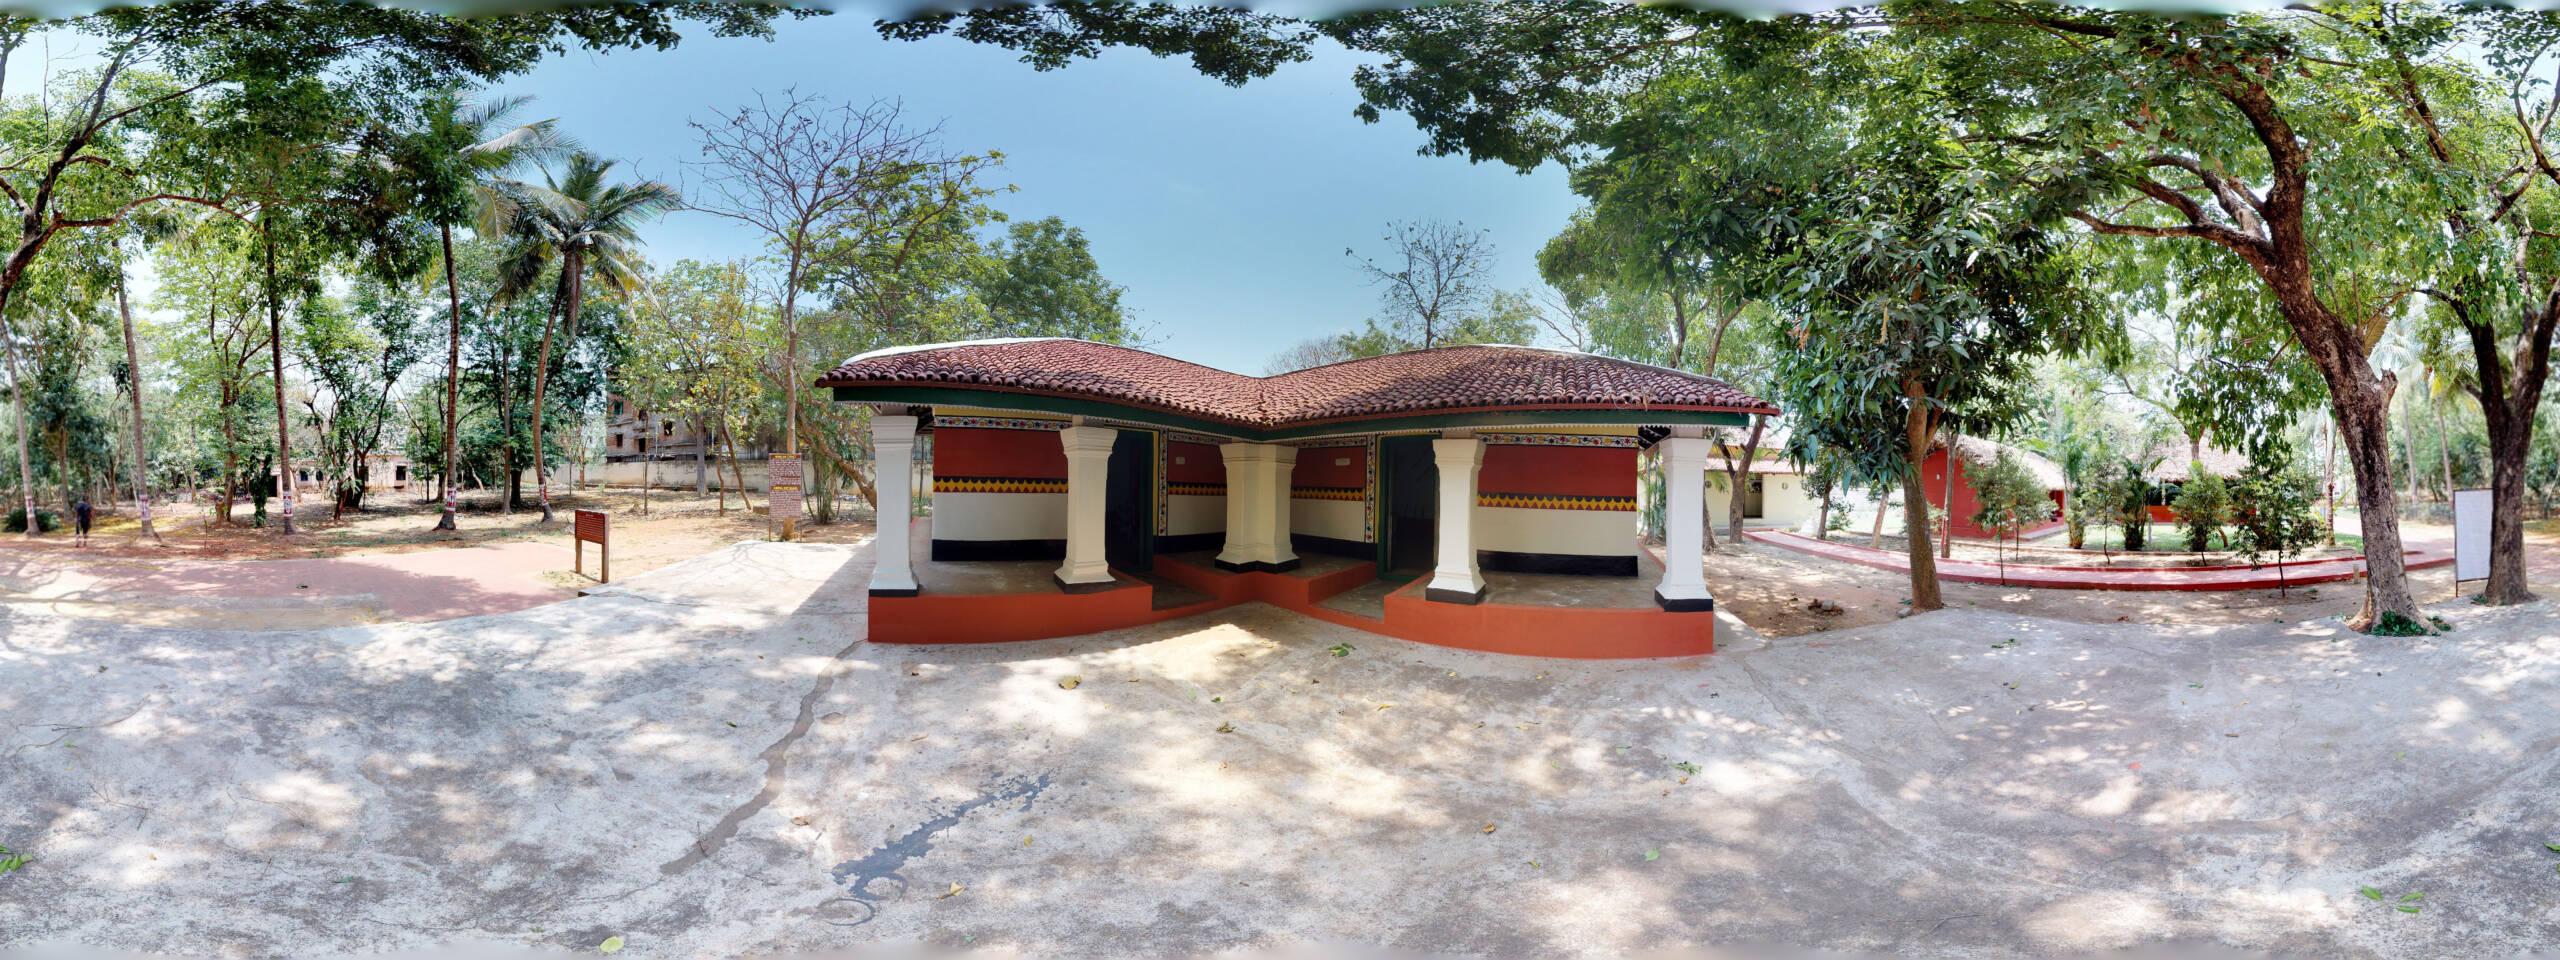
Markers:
590,229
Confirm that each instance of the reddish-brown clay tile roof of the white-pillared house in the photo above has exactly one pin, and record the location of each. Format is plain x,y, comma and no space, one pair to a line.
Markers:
1453,378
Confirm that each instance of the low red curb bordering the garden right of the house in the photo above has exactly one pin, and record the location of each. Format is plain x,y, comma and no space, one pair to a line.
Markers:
2100,577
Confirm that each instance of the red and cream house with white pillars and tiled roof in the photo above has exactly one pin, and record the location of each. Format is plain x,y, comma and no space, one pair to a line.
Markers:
1458,480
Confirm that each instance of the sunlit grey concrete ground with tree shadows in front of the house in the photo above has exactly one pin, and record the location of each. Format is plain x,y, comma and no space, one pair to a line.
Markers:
708,762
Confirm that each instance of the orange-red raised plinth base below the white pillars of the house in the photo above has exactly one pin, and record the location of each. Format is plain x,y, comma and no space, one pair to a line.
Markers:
1583,634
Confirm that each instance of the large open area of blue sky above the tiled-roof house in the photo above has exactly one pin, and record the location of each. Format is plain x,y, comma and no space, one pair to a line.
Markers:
1222,209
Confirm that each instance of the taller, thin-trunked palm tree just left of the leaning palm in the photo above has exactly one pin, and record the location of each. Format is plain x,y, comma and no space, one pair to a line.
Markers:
475,147
